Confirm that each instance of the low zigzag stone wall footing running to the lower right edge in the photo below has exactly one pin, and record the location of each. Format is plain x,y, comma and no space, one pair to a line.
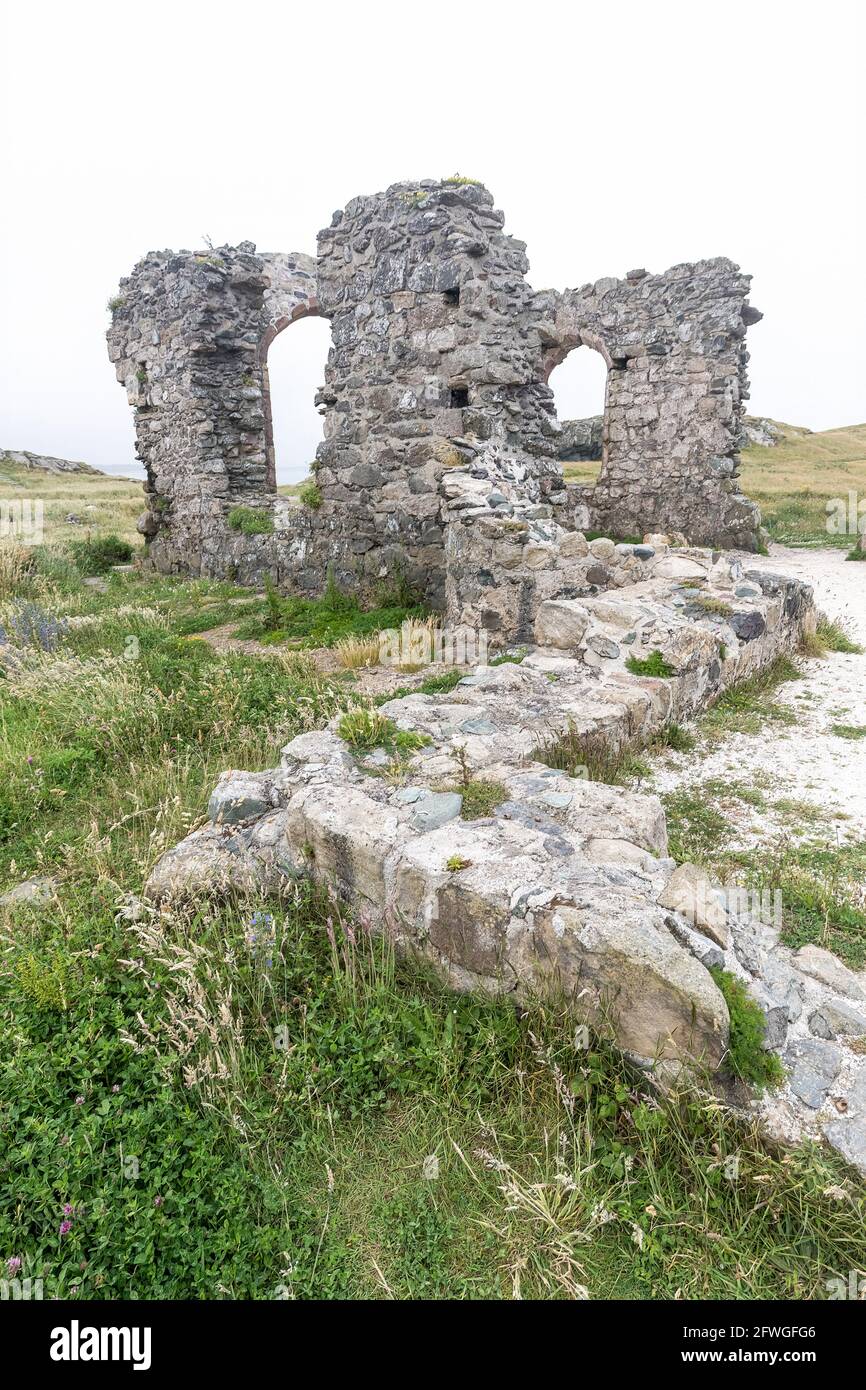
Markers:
566,885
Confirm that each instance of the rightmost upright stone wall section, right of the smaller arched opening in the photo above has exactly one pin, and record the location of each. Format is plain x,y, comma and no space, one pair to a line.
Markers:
675,347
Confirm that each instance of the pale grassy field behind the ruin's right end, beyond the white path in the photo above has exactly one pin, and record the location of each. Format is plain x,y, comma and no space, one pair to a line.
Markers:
794,480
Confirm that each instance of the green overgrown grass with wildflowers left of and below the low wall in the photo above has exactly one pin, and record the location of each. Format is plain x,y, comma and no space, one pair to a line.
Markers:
254,1099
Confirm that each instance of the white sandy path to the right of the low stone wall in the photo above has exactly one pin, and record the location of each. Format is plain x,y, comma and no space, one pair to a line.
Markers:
804,762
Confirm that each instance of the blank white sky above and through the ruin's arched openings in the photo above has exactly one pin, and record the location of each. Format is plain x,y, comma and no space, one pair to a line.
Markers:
614,136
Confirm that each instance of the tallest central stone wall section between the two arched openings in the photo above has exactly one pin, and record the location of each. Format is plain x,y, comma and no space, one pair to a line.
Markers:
434,355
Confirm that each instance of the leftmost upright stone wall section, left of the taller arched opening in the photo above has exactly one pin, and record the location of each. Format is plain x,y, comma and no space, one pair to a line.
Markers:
188,341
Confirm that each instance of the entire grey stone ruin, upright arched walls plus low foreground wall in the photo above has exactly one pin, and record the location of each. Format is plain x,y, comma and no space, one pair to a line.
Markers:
443,458
